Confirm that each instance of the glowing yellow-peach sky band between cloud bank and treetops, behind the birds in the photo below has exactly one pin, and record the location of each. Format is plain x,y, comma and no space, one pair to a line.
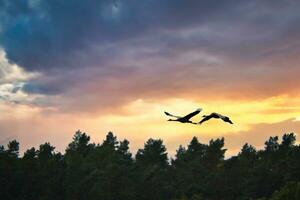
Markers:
139,120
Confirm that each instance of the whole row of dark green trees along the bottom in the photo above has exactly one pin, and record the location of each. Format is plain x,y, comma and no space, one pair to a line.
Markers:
108,171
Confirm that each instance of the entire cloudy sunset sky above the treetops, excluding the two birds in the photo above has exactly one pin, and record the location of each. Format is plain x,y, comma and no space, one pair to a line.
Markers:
117,65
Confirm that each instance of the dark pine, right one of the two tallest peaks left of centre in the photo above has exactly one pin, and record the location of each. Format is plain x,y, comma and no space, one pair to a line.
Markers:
111,175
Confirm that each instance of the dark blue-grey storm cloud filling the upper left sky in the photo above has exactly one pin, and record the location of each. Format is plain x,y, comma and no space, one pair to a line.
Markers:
41,35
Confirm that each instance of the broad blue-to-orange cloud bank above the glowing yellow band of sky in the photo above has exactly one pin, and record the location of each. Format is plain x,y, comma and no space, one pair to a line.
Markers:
95,54
